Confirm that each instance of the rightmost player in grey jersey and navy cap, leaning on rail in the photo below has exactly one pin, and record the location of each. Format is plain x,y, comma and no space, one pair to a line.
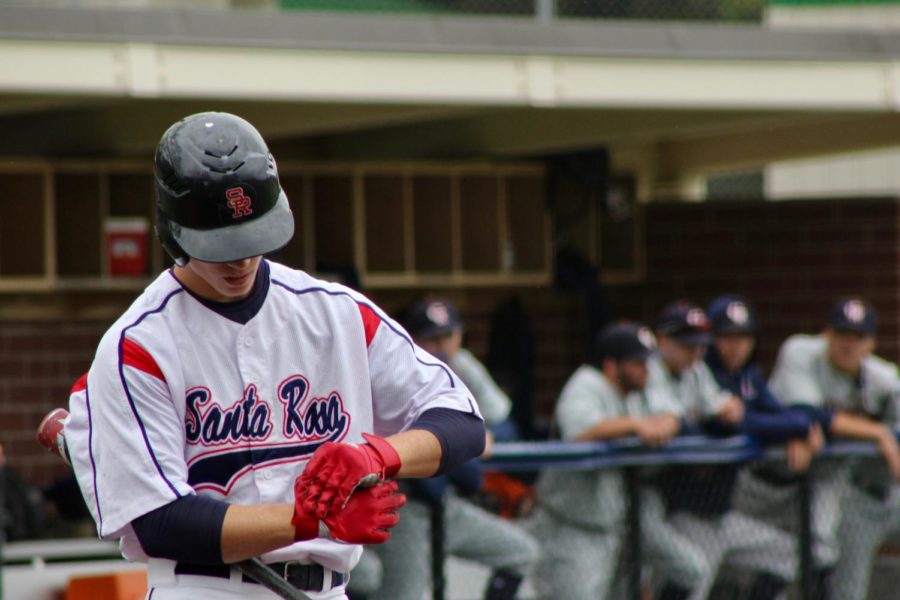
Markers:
851,393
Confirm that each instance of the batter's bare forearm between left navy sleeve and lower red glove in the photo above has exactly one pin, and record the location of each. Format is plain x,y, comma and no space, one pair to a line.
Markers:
251,530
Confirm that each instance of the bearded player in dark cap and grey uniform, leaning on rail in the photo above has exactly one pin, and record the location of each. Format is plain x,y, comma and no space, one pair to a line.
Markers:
580,514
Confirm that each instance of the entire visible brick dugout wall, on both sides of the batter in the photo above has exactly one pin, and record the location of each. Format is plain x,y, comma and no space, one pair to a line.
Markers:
791,258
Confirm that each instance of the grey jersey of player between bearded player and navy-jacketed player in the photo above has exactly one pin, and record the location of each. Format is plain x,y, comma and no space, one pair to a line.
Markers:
694,394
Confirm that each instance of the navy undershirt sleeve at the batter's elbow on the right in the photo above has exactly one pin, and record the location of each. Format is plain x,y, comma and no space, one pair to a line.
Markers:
461,435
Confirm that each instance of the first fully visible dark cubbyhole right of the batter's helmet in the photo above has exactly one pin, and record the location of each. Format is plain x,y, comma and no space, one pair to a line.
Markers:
333,207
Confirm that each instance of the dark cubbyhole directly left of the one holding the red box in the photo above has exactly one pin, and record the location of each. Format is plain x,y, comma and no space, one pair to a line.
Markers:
78,222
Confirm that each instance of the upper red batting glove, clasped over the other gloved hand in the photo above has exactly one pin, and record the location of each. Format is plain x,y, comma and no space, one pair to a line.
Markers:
335,470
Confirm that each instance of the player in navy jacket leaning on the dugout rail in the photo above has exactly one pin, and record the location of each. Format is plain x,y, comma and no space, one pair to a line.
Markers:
700,497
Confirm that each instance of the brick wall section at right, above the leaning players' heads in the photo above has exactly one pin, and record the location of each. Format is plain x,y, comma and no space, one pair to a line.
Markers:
792,259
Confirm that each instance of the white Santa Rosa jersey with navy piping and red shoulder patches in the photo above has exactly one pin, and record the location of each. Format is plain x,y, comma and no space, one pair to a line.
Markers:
181,400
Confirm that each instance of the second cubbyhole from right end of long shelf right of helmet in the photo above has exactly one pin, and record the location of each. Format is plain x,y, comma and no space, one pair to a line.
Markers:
479,202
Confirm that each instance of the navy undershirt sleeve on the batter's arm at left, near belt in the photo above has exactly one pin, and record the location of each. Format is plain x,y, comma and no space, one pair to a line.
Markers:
188,529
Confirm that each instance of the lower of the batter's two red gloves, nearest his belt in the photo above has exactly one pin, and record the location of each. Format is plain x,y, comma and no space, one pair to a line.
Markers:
367,519
